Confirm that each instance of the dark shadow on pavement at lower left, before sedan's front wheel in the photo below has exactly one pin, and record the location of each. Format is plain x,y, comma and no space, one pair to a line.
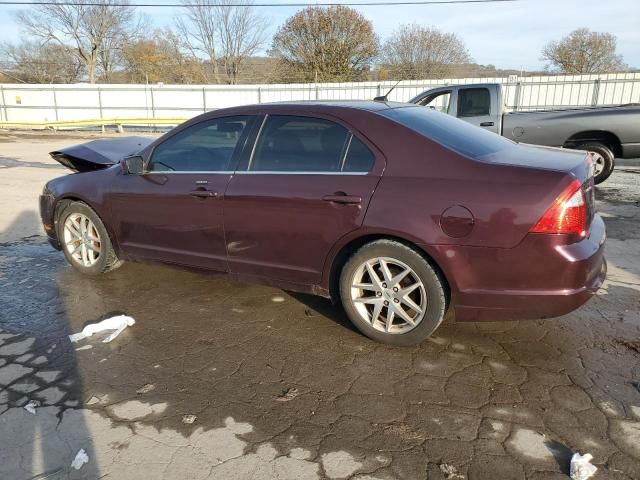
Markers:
37,366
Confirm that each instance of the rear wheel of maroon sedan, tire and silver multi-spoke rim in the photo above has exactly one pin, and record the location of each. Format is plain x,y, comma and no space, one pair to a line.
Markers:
430,297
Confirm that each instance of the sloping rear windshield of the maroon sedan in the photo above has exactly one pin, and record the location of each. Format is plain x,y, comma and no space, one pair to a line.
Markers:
448,131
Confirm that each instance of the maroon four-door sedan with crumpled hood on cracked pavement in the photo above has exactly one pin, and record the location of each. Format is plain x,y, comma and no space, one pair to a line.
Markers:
399,211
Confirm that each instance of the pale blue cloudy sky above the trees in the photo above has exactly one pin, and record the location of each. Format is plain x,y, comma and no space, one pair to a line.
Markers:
507,35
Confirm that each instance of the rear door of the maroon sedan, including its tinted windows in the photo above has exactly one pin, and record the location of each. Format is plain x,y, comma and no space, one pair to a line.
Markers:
306,183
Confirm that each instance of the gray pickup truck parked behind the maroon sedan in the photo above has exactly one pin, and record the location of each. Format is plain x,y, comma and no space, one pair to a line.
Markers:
607,132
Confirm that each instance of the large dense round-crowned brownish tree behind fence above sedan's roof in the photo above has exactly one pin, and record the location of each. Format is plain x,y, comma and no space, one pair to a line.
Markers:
326,44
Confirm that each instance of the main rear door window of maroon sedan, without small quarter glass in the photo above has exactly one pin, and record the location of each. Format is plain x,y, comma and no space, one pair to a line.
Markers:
299,144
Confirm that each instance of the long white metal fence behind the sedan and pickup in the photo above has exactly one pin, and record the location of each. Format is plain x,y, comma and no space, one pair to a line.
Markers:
49,103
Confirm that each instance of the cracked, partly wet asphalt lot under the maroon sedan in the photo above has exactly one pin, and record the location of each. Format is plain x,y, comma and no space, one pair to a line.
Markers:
225,380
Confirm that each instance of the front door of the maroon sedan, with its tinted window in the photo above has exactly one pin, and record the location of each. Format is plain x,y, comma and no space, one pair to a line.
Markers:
173,212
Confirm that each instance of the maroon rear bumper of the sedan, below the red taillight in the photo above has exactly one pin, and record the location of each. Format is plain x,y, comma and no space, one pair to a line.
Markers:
542,277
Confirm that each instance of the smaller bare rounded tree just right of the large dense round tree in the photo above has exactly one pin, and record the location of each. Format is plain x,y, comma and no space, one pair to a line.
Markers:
414,52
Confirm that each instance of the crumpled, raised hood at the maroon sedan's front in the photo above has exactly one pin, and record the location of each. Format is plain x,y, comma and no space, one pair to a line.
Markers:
99,154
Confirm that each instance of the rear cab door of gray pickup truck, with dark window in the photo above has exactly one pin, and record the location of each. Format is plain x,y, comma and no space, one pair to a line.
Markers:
477,106
